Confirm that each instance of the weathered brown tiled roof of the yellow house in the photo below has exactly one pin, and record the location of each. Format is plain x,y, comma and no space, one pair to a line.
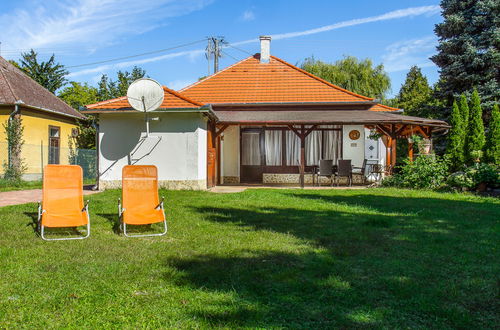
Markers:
16,86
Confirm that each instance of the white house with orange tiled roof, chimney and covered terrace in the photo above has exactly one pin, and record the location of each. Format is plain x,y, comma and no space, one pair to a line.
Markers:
261,120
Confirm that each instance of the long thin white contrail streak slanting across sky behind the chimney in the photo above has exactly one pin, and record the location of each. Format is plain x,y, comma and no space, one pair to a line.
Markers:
408,12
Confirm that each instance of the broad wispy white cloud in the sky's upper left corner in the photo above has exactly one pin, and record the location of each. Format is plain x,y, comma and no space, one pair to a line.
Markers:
86,24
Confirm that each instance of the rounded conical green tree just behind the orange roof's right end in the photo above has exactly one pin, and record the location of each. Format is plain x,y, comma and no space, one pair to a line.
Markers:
415,95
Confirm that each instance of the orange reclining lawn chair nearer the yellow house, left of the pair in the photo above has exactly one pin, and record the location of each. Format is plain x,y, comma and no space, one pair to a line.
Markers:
62,203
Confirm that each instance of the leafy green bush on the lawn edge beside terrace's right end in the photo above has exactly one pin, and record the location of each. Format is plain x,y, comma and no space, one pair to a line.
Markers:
426,172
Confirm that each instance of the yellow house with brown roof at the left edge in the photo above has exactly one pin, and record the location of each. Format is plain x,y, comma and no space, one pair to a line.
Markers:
49,123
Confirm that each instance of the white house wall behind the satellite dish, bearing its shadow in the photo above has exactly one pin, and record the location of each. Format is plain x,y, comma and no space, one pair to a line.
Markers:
176,146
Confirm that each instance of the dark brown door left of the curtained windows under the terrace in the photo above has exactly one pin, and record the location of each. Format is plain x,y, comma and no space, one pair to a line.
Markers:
252,156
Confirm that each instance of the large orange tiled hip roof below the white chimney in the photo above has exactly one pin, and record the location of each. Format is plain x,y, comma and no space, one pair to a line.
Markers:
250,81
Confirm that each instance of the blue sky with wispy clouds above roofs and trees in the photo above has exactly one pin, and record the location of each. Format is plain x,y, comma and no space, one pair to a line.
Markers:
397,33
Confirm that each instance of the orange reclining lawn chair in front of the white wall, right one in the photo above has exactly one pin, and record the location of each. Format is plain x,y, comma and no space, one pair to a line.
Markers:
141,204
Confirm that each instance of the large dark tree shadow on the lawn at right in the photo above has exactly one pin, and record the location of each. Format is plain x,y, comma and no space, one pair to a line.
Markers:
382,261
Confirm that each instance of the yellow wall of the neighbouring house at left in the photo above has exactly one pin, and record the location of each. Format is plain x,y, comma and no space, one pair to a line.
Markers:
36,138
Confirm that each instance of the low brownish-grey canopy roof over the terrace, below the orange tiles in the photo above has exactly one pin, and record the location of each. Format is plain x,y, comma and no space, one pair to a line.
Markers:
344,117
